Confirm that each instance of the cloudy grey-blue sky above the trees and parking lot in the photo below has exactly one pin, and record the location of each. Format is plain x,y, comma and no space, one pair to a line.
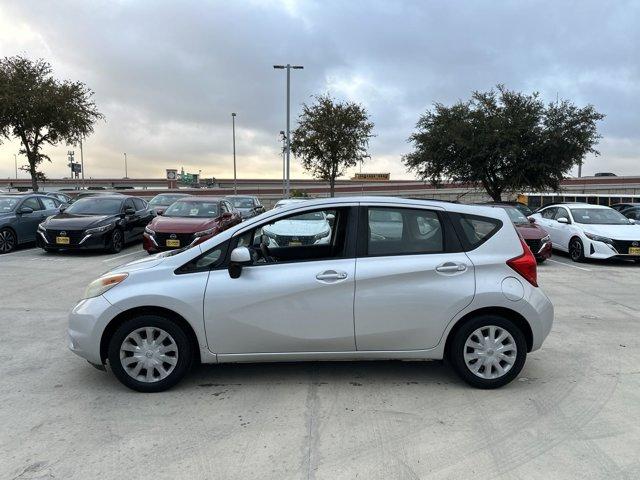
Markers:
168,74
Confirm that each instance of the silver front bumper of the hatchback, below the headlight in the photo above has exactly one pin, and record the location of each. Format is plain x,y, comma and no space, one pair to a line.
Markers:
87,322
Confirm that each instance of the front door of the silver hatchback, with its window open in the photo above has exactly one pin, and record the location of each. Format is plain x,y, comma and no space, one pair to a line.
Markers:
301,303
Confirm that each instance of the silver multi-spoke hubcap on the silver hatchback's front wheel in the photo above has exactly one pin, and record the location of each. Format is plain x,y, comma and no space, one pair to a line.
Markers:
149,354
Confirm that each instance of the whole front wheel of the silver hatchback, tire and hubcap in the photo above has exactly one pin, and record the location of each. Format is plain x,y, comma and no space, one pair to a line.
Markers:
150,353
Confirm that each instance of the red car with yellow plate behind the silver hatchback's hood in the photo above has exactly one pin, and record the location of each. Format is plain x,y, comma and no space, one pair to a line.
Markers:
189,221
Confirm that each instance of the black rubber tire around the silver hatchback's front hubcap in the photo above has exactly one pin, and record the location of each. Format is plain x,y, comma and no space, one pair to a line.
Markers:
184,353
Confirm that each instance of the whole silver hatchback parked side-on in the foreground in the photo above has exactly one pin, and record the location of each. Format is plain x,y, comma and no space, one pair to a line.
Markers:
391,278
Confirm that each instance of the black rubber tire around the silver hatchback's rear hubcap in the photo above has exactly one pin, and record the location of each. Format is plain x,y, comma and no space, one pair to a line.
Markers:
458,348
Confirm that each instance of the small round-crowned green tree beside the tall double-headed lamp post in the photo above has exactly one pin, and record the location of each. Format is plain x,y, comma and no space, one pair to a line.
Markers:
331,136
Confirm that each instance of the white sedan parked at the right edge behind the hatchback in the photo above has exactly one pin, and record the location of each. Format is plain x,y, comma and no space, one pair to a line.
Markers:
590,231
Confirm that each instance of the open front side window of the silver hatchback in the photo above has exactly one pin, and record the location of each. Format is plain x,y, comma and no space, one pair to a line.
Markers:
307,236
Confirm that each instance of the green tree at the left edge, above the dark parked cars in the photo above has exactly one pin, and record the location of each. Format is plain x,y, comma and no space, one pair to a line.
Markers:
40,110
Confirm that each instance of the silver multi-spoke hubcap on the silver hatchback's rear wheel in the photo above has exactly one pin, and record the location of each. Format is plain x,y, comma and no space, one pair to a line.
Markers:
490,352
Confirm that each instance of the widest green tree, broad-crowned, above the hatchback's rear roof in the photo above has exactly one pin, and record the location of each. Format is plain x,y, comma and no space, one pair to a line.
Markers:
504,141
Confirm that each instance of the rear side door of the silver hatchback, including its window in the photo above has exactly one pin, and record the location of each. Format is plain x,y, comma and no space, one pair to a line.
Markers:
412,278
